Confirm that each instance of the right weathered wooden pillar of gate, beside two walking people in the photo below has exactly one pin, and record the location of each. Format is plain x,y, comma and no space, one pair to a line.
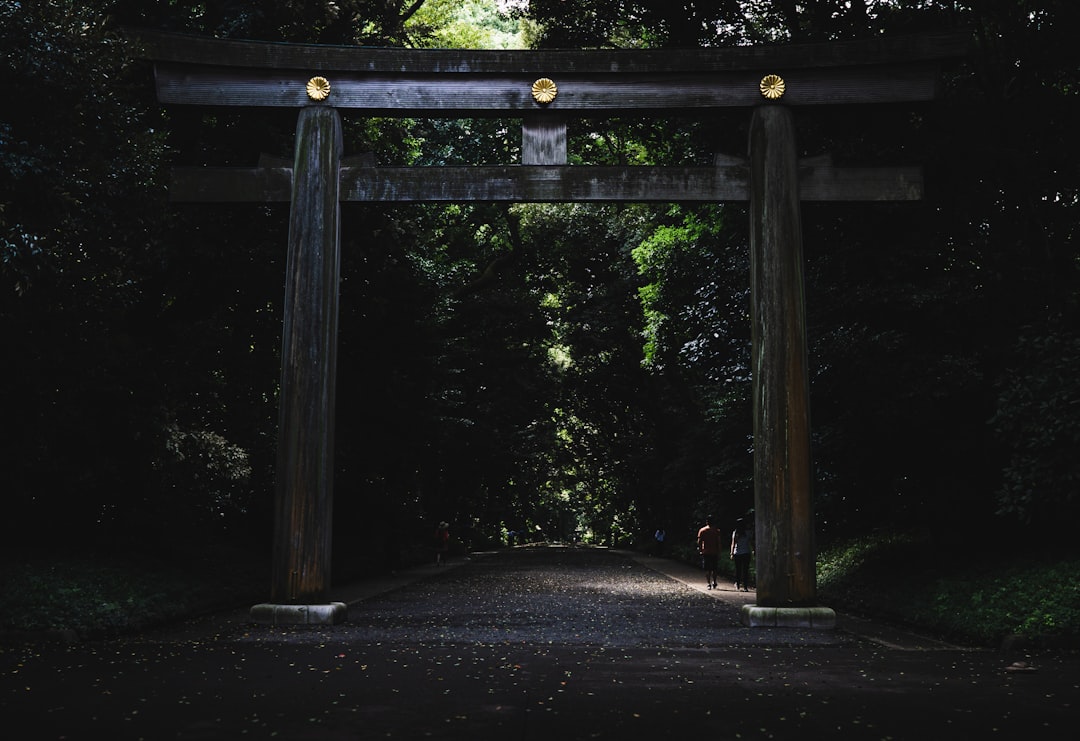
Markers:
782,469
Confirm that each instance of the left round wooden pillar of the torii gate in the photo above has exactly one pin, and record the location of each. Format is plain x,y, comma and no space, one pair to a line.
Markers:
305,483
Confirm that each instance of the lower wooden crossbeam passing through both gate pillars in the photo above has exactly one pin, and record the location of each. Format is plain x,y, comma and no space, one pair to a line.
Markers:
545,184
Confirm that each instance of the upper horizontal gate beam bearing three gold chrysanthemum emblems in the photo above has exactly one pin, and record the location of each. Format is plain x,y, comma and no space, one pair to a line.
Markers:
456,96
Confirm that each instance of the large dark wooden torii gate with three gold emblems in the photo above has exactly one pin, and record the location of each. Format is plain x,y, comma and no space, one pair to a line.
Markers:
545,89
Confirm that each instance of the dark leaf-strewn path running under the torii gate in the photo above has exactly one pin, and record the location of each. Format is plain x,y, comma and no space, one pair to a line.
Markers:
547,644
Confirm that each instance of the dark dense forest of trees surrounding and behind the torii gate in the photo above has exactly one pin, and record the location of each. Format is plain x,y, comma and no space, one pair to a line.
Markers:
569,372
